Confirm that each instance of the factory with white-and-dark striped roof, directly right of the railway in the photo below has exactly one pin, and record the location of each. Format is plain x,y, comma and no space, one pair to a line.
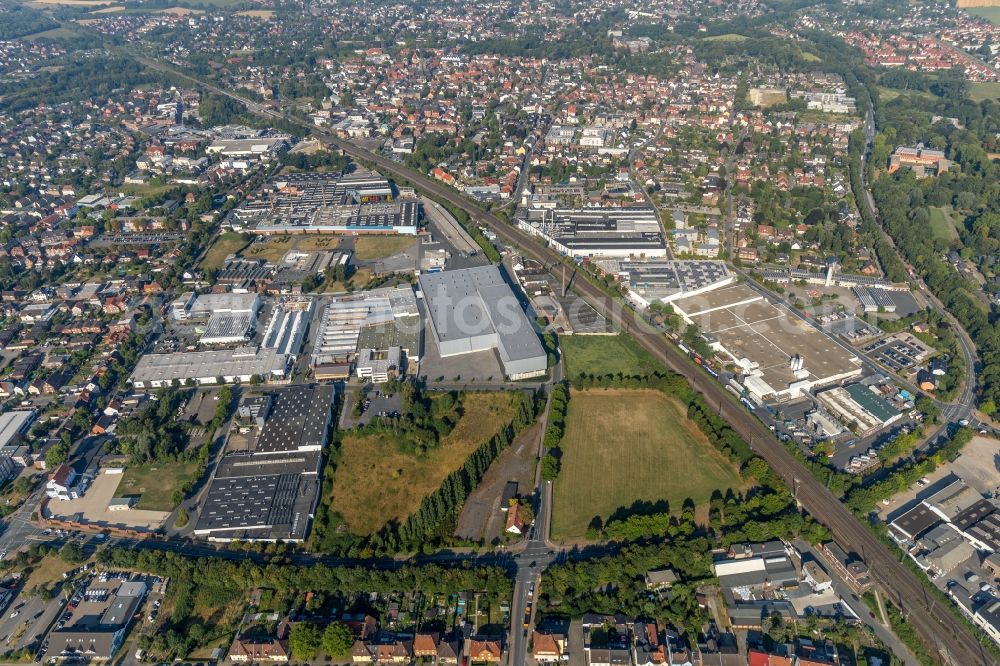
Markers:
621,231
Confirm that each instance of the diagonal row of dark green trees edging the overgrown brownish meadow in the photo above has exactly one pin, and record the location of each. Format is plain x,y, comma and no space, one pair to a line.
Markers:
433,522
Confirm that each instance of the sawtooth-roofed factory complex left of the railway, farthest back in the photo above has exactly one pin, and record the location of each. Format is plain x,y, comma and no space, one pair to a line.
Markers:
362,202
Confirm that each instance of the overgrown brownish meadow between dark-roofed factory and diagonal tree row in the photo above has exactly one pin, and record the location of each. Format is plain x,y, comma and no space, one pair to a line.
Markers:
375,482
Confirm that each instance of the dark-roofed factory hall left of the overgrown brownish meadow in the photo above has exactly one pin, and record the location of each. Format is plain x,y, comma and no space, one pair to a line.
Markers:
267,485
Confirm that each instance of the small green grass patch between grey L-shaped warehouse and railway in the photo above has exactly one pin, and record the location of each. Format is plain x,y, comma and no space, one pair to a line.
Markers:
605,355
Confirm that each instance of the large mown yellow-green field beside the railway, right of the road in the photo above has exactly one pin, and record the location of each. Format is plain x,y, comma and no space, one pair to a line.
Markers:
626,446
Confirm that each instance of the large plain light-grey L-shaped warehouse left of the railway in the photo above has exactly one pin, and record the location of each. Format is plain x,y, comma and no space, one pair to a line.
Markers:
474,310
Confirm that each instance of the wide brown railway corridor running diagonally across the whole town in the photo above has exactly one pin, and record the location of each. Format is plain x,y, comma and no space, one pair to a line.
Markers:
953,641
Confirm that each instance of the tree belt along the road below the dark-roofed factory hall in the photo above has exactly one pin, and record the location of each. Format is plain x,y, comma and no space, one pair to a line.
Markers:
215,584
